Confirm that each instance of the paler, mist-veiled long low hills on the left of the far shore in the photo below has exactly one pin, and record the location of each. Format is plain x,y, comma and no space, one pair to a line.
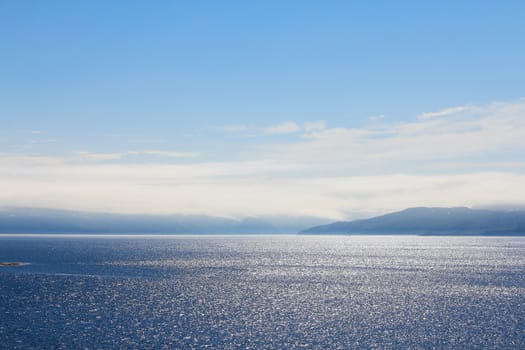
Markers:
33,220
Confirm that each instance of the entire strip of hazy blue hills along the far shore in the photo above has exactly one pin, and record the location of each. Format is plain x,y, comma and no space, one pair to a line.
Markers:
413,221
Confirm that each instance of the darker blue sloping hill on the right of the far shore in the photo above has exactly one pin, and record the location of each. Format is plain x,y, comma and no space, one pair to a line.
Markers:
432,221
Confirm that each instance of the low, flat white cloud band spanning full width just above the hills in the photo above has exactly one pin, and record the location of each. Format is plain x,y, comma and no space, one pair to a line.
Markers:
242,189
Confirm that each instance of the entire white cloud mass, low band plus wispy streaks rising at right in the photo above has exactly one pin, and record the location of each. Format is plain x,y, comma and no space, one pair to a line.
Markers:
464,155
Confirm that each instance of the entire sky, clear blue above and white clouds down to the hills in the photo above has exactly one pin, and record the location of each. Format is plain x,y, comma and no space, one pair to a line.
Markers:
331,109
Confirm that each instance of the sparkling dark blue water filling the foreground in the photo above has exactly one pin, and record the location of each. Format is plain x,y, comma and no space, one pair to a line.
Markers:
263,292
